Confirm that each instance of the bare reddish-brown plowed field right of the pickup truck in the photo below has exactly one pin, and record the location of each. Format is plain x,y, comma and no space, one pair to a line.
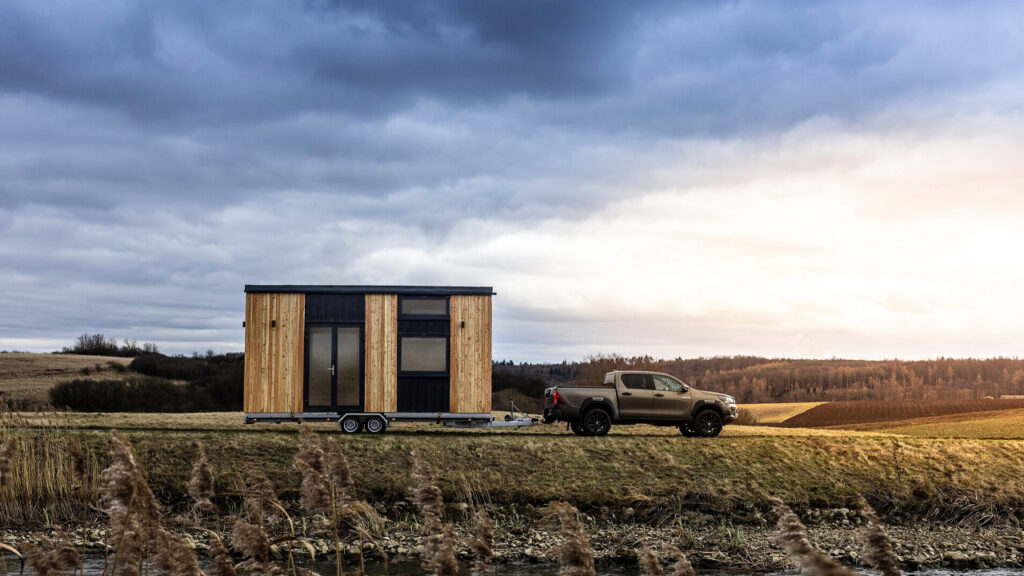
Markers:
846,414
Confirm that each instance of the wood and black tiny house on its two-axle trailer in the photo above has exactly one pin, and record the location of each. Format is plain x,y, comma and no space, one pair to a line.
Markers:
368,356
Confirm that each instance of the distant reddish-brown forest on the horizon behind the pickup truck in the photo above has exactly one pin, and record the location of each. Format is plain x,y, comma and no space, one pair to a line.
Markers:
753,380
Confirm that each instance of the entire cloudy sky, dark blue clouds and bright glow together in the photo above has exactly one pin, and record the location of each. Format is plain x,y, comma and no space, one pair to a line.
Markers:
791,179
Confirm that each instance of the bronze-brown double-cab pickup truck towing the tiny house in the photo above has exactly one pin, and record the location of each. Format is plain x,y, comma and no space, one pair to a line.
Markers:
639,397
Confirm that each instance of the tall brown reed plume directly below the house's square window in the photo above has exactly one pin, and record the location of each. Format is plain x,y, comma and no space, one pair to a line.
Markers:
442,543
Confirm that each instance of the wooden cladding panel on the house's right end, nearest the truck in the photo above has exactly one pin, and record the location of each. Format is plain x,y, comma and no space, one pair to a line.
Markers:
471,355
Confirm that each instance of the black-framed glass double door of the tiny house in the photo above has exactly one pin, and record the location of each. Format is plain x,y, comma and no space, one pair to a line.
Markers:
334,369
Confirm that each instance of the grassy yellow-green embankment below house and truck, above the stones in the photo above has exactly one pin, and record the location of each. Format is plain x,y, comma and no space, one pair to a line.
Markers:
661,477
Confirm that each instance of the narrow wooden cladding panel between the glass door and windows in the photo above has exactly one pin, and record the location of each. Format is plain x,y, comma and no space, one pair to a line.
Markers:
381,381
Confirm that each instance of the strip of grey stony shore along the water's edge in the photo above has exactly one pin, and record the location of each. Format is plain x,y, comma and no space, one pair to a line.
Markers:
709,546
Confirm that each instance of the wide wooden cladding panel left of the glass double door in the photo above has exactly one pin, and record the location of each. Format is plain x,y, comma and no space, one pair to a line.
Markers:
274,354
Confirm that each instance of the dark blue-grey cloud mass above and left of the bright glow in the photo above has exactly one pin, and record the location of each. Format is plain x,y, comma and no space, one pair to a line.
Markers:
159,156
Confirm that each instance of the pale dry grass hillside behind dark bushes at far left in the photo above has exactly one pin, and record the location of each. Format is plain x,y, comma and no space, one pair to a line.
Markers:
29,378
